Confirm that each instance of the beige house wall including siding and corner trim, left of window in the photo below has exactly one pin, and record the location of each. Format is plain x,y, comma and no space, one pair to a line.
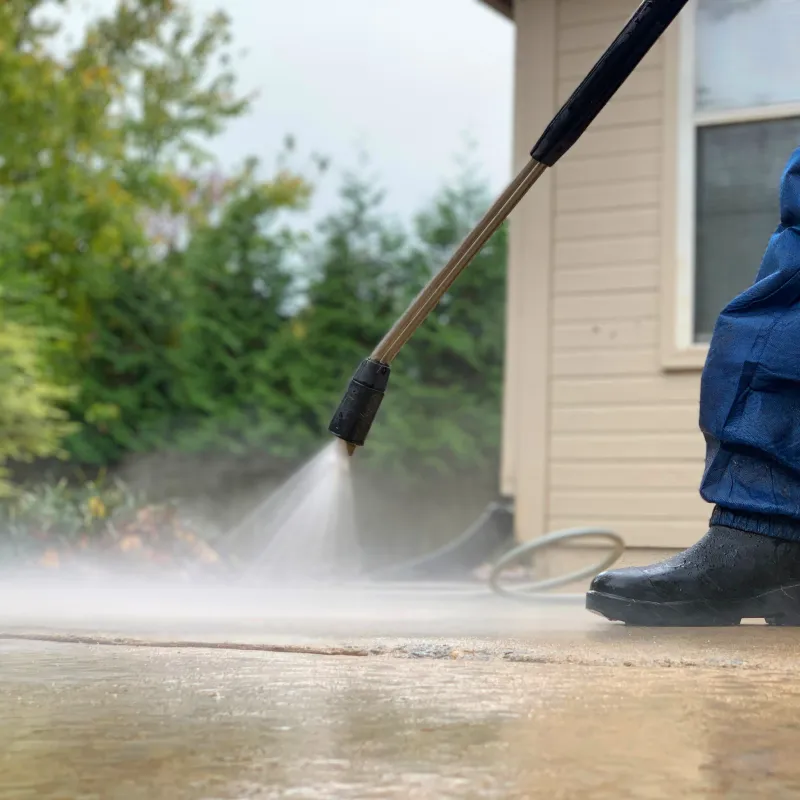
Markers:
598,430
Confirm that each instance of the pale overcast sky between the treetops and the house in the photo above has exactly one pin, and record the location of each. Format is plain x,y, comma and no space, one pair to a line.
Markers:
409,82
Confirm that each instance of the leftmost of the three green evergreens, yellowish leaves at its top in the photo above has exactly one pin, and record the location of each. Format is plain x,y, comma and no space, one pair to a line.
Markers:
237,290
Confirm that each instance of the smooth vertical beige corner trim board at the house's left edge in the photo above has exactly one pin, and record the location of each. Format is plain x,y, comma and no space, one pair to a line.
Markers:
526,406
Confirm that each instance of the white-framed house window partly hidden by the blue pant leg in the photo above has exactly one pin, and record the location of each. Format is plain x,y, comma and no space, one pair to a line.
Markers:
745,122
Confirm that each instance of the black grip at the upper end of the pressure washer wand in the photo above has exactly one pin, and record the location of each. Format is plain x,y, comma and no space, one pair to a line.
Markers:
644,28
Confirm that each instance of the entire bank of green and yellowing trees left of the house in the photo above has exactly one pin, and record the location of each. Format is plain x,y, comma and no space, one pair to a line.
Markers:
148,302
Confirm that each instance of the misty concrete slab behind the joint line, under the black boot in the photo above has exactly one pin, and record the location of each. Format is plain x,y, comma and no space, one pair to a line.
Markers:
420,621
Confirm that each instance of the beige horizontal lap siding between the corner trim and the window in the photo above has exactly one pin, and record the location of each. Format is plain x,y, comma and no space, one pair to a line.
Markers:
623,447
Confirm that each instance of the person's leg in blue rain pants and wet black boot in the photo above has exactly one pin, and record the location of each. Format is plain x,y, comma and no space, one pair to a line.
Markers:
748,564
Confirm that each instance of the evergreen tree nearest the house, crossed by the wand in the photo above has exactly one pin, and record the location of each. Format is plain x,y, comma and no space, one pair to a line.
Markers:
443,412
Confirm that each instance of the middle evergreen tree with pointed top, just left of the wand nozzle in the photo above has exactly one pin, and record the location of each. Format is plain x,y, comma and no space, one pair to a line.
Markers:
358,283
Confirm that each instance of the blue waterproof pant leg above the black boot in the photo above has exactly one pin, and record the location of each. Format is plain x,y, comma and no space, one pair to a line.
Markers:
750,391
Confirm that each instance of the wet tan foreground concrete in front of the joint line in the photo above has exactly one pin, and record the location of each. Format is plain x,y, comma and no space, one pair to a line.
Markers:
123,724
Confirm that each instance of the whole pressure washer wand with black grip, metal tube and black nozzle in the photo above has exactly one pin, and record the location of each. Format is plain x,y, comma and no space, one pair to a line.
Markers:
356,413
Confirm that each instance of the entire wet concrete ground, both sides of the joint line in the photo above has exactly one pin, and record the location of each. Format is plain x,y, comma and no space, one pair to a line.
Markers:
430,694
